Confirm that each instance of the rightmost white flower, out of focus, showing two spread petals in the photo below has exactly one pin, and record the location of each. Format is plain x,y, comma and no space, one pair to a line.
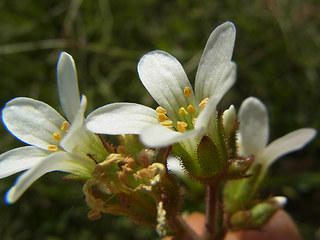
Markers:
254,134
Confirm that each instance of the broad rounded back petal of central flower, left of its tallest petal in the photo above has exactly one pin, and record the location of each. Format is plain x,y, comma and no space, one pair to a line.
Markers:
165,79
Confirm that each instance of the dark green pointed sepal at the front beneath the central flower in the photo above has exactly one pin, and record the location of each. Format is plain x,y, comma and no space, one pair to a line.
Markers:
209,158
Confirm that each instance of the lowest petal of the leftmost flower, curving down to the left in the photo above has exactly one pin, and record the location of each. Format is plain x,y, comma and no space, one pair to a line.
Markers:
59,161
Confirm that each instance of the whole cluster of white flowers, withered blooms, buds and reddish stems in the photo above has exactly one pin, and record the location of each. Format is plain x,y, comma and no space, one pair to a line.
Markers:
136,178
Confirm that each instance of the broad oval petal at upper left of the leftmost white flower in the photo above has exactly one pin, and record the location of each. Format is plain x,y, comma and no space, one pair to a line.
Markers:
32,121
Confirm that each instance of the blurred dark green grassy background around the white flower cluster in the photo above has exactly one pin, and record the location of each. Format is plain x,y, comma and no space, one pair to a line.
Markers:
277,52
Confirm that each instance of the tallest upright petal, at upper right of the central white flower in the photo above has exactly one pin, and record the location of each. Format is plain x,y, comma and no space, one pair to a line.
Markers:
217,53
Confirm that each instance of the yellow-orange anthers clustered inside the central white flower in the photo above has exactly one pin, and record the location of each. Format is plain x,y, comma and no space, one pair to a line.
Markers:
188,114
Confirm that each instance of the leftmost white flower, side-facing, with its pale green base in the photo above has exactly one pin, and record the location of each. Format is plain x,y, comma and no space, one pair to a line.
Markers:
55,145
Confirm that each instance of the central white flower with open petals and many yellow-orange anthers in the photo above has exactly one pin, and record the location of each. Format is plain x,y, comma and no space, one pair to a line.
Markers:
183,113
